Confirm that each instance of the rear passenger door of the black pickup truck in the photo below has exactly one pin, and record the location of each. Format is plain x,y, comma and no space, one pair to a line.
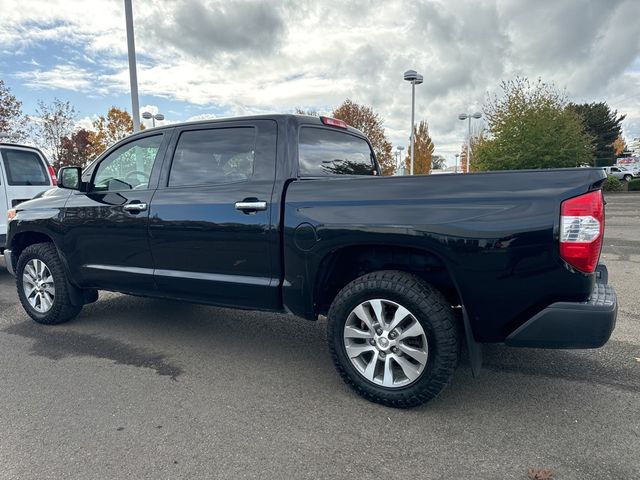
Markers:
211,230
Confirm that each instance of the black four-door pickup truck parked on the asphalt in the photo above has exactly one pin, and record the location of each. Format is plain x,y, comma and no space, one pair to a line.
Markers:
289,213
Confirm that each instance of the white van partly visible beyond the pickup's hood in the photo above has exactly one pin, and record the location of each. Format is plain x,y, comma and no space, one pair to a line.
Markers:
24,172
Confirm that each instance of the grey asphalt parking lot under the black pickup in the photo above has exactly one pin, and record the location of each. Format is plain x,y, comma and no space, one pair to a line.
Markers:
141,388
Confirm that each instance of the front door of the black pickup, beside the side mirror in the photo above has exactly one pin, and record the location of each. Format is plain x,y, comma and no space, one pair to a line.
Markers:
106,228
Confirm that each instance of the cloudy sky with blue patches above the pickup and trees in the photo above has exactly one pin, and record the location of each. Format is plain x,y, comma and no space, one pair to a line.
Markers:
199,58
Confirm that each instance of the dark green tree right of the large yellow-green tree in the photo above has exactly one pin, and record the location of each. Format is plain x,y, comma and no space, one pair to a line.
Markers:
603,125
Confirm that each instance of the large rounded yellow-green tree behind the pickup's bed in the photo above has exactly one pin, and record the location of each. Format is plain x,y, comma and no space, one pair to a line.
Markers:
529,126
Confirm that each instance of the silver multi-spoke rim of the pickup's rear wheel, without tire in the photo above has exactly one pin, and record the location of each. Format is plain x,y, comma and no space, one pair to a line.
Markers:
386,343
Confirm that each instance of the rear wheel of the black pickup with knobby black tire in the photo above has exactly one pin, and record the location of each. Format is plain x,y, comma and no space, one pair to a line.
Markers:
428,311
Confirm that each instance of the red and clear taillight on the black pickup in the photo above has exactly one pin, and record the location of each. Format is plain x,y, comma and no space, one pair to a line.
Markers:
581,230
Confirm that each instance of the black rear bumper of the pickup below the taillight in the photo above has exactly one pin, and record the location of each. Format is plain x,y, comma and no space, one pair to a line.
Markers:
571,325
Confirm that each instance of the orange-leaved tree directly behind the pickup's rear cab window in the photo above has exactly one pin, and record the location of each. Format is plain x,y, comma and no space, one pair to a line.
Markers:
366,120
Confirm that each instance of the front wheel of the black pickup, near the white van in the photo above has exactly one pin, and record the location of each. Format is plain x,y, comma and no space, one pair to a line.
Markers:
53,308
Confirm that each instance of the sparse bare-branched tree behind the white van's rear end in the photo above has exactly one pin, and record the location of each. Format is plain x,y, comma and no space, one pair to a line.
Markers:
53,122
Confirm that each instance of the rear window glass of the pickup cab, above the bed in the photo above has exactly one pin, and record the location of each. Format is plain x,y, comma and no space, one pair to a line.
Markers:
323,152
